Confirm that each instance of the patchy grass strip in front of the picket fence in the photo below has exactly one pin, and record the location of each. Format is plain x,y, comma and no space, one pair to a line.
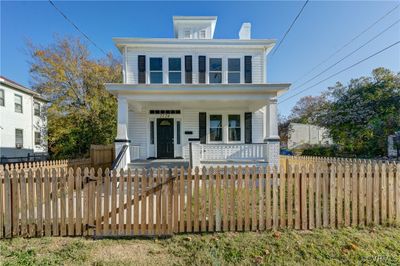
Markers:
378,246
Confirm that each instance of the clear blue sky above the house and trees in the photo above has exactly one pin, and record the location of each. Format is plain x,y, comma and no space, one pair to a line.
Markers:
322,28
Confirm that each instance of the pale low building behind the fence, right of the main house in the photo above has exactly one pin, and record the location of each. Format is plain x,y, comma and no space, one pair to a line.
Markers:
301,134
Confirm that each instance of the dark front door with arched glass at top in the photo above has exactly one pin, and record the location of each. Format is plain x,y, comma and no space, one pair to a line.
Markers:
165,138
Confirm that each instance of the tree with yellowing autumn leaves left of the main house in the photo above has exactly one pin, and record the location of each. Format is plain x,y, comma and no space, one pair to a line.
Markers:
81,111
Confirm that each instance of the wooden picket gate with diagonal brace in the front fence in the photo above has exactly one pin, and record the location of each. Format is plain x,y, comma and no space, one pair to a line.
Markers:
129,203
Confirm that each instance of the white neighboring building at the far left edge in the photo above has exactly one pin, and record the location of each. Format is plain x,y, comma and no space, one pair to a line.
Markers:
23,124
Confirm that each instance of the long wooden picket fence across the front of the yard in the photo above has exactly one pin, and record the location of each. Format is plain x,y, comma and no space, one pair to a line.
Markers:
157,202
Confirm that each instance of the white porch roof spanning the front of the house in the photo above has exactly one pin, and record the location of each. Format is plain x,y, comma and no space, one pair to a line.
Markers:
149,92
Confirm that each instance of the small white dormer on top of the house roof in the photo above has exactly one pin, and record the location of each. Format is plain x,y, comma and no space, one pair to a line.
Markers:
196,27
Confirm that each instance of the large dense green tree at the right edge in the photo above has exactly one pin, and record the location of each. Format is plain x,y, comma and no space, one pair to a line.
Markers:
361,115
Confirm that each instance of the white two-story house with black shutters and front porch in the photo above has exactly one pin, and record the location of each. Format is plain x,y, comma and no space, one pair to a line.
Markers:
197,98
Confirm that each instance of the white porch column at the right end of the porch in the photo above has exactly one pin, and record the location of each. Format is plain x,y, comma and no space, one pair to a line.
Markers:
272,135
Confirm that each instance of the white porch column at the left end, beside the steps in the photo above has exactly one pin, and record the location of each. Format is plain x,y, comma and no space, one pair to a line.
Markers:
122,133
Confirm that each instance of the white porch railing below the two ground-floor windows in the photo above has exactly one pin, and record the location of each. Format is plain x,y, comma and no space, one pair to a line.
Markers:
233,152
